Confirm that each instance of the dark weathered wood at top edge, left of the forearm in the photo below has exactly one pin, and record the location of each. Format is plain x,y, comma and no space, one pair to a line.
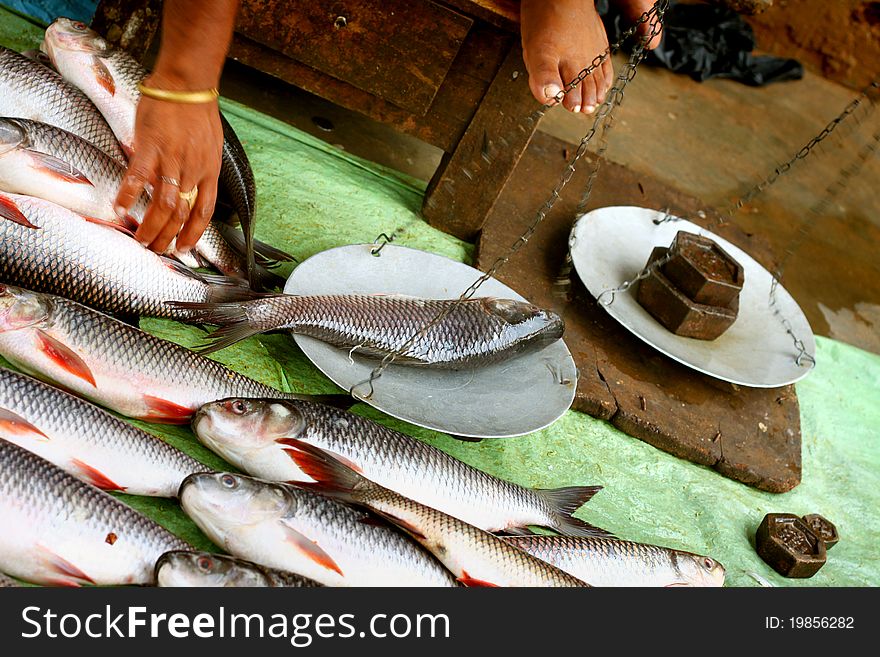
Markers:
130,24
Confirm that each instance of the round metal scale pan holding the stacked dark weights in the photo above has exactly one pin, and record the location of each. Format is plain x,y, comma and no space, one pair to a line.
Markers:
611,245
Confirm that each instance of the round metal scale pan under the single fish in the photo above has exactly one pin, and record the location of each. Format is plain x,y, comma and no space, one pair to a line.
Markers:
516,397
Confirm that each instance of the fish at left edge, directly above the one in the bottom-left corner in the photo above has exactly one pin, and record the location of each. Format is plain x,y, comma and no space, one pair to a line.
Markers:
88,442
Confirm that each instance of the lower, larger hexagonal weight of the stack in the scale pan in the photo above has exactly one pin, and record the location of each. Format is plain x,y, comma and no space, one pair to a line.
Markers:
678,313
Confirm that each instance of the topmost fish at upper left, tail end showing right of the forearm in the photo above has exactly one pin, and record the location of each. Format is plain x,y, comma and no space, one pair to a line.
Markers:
109,76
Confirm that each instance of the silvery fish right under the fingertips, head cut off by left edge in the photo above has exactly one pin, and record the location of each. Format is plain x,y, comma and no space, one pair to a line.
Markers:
50,249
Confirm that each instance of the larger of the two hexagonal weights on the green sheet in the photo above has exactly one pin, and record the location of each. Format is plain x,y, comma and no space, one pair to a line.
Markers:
788,545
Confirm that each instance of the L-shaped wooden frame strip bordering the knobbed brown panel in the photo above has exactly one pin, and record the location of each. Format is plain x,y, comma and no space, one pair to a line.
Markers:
453,107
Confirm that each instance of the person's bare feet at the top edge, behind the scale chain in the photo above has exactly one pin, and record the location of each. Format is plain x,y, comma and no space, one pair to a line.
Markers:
562,37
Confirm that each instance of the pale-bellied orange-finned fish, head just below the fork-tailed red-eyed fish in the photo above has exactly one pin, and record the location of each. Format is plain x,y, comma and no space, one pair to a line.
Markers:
281,527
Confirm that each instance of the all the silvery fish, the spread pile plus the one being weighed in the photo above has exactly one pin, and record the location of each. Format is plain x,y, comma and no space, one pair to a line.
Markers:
327,498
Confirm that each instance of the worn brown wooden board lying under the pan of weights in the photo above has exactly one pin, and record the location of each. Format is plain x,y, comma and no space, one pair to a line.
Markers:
748,434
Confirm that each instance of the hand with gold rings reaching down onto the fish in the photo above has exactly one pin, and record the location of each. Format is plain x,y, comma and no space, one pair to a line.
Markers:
177,147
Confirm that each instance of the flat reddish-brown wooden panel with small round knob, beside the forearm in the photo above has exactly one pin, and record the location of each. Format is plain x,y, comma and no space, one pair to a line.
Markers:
398,50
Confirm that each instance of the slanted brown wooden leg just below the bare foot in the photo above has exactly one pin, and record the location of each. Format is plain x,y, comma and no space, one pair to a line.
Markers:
469,181
